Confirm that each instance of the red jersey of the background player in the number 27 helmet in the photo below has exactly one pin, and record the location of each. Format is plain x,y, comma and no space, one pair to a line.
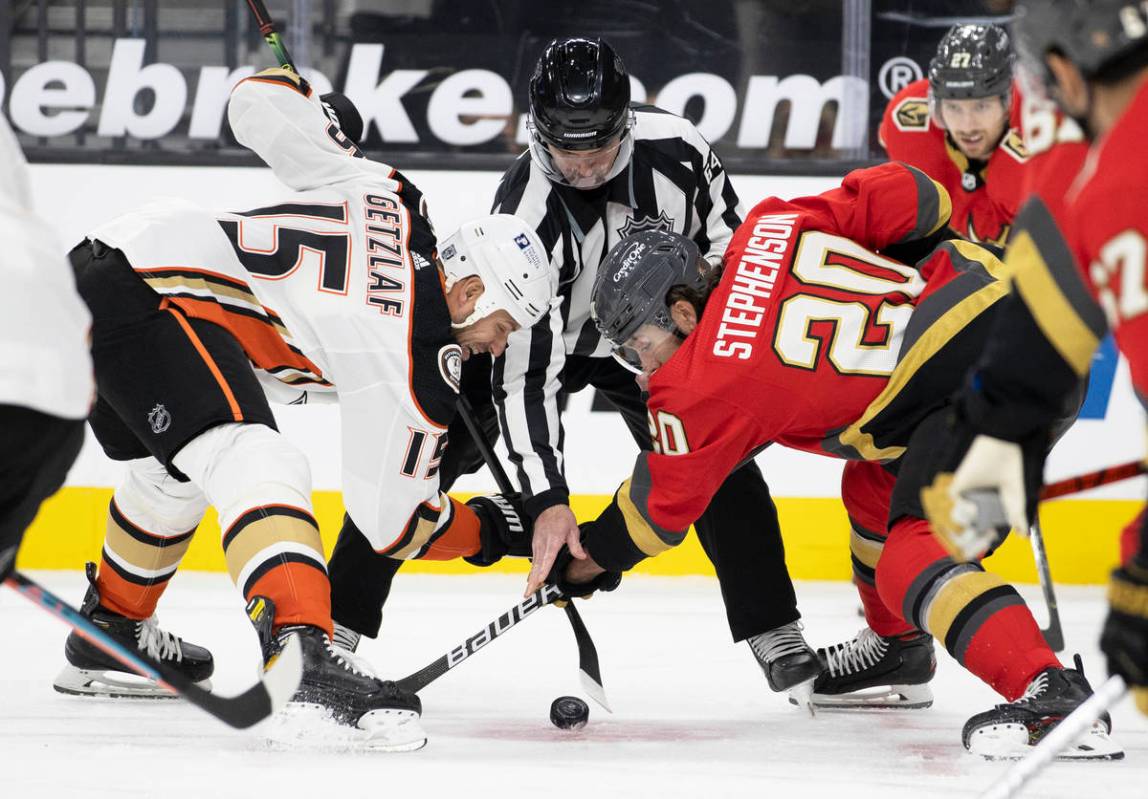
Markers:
986,195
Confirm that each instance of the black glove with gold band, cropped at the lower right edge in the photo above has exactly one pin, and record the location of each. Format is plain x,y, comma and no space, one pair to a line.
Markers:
1124,640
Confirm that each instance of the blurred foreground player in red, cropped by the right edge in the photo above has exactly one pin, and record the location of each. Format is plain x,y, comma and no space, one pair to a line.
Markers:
1080,273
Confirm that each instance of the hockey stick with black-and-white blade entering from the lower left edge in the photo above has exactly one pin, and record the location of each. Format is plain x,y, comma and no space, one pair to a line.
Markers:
277,687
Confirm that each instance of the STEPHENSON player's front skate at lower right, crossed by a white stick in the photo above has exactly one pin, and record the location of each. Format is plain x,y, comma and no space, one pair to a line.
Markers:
1011,731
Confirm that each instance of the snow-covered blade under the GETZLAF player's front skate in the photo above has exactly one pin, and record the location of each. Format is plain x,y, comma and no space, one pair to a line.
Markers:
304,726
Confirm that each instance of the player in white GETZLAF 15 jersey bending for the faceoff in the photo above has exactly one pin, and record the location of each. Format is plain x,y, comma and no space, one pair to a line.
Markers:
338,294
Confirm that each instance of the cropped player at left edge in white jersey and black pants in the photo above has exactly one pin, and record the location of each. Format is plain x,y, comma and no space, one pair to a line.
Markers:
45,370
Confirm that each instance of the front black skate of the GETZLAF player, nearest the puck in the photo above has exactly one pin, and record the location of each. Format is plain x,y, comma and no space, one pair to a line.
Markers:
343,686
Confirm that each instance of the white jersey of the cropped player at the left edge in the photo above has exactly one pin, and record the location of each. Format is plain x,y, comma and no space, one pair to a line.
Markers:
44,324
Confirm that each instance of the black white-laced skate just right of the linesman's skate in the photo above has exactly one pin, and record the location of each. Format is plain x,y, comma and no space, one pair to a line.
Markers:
873,672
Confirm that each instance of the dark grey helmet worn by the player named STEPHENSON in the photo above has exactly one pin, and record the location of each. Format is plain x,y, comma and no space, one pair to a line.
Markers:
634,280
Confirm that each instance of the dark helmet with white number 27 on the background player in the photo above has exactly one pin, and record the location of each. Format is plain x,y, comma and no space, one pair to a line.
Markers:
972,61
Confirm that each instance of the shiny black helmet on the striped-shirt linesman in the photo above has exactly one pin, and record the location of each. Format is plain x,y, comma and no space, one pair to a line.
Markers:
580,95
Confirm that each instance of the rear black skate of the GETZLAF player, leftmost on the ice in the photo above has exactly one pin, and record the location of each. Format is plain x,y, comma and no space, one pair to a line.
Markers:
92,672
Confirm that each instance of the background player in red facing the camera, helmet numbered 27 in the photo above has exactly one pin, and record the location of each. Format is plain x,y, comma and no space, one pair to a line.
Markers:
960,127
